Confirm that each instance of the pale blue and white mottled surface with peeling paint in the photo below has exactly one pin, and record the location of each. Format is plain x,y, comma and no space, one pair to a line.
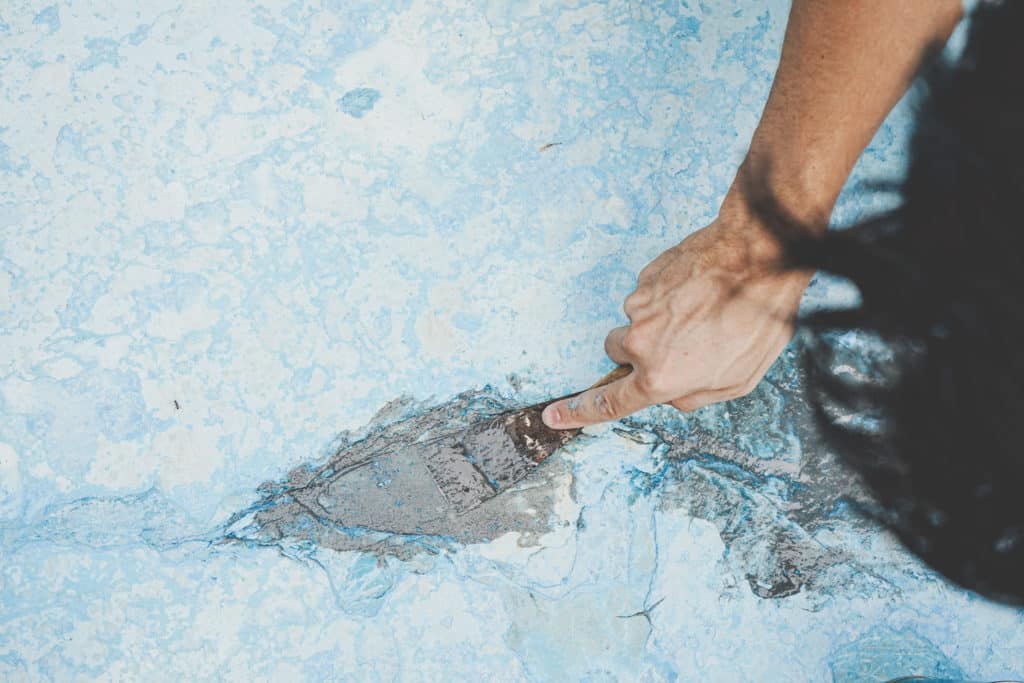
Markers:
231,231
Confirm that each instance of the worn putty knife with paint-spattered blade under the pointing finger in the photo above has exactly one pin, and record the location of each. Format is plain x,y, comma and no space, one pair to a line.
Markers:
487,459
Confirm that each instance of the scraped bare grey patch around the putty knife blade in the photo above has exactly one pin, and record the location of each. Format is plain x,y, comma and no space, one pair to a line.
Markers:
379,493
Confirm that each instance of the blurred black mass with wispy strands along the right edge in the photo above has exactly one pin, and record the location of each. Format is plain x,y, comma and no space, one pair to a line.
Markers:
942,437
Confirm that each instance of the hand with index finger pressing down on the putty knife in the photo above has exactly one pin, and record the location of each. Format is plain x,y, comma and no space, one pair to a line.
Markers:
708,319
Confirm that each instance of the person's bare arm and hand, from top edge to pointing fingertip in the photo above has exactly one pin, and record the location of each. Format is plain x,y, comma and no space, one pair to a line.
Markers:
710,316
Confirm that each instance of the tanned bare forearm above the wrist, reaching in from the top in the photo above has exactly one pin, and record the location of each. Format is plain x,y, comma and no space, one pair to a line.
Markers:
844,66
